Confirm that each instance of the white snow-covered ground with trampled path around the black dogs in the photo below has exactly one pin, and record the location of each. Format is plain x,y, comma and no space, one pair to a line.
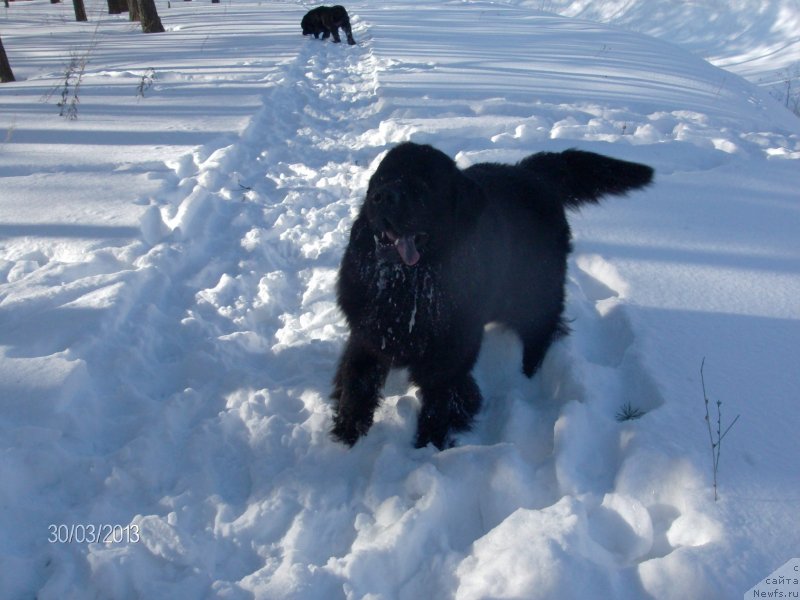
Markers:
168,329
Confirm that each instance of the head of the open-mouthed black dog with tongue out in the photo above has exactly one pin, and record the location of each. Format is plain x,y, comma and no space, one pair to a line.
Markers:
417,203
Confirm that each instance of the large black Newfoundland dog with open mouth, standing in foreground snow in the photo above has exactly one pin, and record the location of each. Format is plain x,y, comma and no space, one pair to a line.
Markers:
436,253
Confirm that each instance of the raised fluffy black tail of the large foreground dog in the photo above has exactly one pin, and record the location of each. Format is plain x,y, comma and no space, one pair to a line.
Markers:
584,177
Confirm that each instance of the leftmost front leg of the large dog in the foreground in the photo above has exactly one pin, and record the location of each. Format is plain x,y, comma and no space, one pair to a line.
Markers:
356,392
